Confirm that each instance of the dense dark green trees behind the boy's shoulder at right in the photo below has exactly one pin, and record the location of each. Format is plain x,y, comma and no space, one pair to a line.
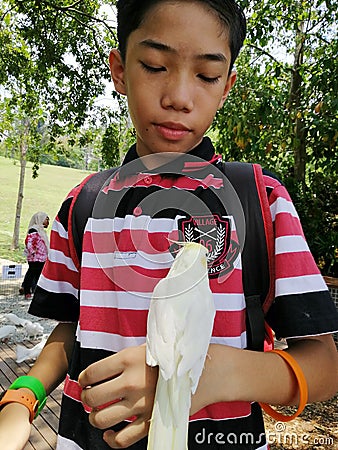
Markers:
282,111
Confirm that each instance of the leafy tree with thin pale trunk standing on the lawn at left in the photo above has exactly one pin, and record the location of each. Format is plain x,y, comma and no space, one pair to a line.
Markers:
53,54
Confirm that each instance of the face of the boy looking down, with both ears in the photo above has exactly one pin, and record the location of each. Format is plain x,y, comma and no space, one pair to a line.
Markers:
175,76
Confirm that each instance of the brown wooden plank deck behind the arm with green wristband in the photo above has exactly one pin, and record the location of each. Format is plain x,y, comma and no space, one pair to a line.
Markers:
43,435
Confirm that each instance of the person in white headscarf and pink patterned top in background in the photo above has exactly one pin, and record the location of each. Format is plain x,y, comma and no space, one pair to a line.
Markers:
36,250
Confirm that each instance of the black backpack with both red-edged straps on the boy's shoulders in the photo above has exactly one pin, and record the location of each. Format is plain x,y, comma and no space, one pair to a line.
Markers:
258,279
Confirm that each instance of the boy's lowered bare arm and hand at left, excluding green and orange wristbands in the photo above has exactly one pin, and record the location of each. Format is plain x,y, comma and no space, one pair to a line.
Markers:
50,368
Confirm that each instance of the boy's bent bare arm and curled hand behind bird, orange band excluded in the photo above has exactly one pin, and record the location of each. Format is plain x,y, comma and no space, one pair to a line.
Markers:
230,374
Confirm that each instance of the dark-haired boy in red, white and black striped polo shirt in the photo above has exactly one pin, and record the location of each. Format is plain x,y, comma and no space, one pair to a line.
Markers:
174,64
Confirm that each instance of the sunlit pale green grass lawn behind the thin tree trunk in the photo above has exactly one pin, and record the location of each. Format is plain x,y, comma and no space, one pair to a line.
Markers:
45,193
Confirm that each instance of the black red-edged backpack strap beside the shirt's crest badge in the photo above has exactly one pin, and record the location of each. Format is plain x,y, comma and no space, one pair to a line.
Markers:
257,258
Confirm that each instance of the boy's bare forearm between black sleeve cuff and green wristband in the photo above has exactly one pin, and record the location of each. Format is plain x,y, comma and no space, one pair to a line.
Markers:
52,364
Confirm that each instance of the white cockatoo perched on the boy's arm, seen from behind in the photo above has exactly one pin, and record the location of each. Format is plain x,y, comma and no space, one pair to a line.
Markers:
180,323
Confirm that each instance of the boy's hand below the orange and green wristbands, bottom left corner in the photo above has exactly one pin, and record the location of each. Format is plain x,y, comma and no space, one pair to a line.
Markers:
14,426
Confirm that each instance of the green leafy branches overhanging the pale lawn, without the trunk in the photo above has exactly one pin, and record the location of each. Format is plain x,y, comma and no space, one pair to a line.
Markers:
58,49
